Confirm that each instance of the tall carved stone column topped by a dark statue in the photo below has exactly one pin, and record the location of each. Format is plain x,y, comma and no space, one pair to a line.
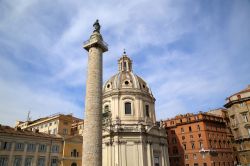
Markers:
92,134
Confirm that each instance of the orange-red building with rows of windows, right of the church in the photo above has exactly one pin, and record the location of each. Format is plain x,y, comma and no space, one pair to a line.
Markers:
201,139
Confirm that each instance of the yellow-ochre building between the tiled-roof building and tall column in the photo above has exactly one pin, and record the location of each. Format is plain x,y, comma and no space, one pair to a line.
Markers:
65,127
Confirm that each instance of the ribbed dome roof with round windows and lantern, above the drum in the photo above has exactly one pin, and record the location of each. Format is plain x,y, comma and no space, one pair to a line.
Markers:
125,79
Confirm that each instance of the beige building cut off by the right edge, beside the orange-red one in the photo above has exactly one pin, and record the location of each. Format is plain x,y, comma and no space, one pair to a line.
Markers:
238,106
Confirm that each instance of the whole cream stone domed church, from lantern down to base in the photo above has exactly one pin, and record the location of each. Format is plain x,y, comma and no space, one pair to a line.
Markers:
131,135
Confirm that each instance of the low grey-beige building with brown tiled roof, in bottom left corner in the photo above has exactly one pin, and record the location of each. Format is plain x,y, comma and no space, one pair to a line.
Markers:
27,148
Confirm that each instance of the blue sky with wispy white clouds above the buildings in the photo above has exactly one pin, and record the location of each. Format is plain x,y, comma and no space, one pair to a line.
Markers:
193,54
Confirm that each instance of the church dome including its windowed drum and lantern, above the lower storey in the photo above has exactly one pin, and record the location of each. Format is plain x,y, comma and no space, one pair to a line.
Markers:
127,96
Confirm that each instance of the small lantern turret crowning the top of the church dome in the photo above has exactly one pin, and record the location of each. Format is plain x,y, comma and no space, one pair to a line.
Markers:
125,63
